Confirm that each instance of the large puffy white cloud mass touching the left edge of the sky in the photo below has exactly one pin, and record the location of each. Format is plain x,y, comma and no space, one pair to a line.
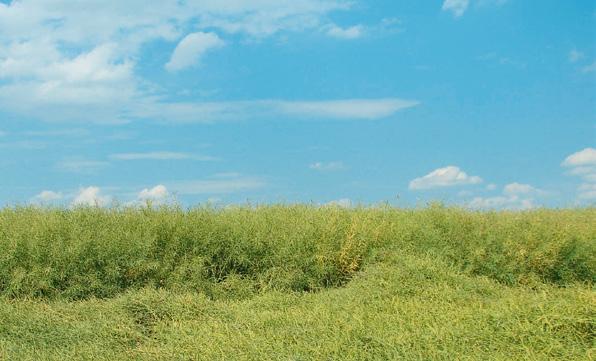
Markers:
97,83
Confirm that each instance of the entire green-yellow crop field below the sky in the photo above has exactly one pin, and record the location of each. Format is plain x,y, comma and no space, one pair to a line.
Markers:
297,283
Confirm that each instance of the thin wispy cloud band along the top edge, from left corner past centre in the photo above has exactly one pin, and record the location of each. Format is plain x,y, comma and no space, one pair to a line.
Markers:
137,23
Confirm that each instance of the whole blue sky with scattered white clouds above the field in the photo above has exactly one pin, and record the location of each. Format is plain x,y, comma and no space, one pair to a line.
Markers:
486,104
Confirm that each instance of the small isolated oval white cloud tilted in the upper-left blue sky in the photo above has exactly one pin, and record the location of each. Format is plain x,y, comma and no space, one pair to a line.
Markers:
190,50
